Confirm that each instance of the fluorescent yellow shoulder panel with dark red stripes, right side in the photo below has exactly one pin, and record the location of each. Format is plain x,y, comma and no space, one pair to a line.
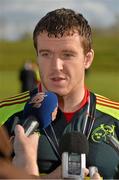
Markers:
107,106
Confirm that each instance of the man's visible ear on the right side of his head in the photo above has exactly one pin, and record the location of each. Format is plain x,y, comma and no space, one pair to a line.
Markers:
89,59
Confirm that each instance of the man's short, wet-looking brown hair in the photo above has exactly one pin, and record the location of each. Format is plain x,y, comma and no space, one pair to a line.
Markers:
64,21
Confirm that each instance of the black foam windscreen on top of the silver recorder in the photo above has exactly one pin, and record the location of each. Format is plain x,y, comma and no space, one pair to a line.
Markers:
74,142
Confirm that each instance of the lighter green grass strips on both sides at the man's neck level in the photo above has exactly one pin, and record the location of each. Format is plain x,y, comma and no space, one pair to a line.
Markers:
106,84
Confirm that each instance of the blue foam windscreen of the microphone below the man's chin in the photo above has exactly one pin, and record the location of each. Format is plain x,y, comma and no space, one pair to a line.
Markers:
43,113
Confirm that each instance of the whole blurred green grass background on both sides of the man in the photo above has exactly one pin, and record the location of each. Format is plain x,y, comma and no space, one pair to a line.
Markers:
103,78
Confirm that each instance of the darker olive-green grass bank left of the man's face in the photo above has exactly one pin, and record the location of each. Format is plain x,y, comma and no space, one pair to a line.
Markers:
14,54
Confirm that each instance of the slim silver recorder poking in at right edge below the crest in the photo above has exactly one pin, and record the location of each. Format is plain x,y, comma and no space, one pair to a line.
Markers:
112,141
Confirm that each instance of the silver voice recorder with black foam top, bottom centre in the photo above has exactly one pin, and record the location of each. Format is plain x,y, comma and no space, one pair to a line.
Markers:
74,147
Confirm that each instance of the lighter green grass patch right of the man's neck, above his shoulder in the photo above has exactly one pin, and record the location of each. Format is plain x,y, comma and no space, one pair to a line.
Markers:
106,84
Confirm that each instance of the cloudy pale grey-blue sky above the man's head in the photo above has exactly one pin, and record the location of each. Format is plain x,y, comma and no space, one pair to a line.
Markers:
19,16
